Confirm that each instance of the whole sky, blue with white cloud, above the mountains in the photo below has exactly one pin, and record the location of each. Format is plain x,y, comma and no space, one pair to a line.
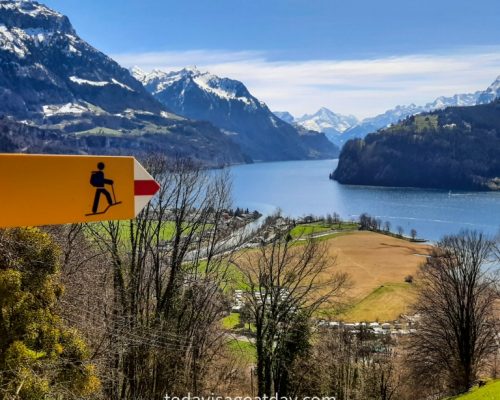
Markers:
353,56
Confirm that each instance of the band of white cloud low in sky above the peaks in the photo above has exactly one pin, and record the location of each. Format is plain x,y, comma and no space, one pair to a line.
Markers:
363,87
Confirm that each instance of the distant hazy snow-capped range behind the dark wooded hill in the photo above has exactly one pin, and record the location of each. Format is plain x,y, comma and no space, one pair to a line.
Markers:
339,128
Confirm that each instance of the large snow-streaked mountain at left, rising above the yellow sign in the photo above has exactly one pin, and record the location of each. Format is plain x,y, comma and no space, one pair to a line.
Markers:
53,79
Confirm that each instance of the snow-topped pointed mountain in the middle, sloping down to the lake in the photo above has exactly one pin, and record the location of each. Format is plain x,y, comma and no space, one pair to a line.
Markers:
228,104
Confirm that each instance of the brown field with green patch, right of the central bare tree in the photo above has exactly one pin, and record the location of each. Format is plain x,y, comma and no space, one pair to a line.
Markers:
377,265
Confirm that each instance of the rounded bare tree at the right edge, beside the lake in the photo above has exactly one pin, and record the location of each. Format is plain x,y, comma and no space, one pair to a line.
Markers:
457,330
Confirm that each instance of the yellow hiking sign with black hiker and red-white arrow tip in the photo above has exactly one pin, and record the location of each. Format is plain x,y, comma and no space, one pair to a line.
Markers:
60,189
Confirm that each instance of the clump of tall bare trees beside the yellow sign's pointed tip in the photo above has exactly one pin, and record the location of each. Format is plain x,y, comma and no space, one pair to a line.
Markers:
169,270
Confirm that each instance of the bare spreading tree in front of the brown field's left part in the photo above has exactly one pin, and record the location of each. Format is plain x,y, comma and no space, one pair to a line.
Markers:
287,283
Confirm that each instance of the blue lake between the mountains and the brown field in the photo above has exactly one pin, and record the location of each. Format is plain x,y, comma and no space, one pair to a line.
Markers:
300,188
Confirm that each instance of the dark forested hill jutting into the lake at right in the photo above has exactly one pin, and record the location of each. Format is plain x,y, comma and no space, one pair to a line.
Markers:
455,148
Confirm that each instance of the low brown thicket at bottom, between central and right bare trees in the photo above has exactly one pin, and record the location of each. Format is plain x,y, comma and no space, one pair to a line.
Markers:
349,366
